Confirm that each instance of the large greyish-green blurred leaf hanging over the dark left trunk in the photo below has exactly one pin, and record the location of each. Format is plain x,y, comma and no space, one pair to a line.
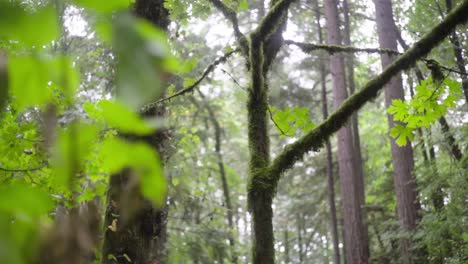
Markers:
144,57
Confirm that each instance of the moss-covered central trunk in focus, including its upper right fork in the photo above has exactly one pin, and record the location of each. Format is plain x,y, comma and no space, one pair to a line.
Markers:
264,46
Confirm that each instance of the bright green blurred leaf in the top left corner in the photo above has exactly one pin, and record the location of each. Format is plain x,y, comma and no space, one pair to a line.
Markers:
32,28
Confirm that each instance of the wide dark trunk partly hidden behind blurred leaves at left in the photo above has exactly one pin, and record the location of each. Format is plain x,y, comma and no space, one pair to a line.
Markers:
134,229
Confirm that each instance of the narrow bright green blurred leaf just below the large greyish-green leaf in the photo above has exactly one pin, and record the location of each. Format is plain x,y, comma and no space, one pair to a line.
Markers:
118,116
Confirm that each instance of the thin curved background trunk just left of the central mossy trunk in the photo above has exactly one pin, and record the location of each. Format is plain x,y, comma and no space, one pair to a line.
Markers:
222,173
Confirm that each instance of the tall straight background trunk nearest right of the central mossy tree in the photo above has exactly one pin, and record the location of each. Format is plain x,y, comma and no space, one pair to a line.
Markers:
355,239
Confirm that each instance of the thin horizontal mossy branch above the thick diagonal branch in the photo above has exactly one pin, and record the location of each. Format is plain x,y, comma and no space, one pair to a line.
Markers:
309,47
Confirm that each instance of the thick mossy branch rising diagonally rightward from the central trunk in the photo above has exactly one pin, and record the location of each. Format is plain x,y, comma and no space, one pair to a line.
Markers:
318,136
